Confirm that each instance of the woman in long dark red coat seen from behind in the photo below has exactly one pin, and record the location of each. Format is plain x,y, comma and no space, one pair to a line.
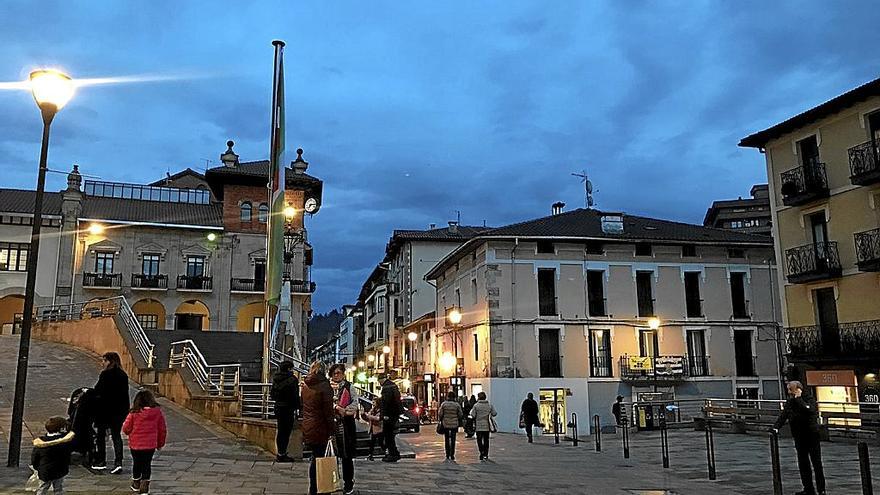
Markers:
317,425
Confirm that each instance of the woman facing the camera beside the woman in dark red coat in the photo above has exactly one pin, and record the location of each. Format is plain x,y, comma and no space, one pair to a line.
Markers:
347,407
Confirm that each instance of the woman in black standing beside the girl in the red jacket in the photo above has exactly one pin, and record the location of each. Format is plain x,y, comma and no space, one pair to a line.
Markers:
112,392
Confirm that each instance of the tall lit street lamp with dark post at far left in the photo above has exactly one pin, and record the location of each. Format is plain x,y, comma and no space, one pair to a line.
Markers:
52,90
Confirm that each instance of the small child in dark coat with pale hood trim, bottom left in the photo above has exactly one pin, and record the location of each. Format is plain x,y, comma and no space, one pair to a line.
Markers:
51,455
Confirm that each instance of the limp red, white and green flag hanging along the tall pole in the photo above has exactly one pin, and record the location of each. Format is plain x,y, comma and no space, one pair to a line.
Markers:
275,249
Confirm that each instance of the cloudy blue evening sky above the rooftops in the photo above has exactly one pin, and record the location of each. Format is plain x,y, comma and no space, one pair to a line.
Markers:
410,111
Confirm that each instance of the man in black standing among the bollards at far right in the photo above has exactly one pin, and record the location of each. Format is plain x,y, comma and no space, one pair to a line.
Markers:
801,411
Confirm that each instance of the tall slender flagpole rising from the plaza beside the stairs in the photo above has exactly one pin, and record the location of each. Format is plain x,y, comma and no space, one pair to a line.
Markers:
273,158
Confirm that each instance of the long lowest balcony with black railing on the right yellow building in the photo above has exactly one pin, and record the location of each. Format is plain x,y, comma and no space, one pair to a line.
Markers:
844,341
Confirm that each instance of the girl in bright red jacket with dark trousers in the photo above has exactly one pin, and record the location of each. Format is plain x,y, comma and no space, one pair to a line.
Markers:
145,427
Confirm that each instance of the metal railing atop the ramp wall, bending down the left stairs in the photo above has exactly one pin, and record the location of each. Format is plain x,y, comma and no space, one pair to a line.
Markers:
101,308
